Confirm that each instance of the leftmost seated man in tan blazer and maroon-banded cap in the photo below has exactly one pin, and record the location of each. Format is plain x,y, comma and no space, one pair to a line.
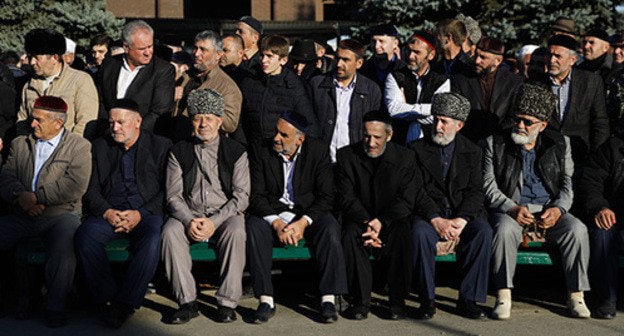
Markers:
45,177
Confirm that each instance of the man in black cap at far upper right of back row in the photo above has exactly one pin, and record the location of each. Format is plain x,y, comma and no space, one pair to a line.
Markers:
595,53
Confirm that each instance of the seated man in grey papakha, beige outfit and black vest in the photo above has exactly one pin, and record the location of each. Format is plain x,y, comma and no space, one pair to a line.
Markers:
207,193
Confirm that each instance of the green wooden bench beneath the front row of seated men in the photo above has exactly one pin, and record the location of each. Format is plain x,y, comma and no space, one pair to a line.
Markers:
117,251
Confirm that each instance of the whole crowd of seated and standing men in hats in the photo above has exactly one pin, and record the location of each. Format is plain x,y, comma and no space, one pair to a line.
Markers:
435,144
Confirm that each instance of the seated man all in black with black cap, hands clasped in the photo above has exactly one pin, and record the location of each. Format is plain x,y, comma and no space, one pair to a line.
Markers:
376,187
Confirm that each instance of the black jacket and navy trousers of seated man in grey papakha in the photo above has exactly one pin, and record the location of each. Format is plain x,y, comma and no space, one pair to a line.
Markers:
459,194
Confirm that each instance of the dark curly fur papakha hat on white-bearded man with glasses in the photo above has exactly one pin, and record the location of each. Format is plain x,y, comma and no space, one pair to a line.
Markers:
534,101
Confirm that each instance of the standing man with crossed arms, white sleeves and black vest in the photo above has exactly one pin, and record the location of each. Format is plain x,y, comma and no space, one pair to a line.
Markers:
409,89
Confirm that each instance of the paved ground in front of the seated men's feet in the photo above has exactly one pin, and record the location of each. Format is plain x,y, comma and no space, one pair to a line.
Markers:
536,311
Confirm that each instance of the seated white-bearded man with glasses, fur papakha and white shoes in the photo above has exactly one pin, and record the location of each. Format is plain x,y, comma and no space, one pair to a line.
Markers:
528,183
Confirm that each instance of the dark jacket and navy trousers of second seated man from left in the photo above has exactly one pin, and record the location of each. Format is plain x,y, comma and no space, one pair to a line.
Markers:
95,232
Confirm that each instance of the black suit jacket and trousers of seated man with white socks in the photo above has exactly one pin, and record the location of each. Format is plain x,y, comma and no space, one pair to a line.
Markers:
313,187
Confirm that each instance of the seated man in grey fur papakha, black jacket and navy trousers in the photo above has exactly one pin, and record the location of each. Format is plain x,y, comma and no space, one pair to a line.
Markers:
452,209
